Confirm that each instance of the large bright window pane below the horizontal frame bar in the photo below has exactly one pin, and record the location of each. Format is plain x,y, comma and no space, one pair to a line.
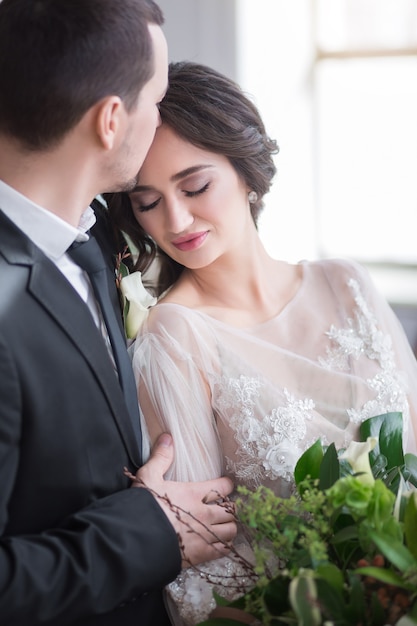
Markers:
366,135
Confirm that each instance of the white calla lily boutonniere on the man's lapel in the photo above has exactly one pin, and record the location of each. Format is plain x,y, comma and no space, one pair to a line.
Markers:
136,300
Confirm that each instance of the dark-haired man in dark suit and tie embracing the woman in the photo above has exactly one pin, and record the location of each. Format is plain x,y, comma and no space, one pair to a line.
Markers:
80,82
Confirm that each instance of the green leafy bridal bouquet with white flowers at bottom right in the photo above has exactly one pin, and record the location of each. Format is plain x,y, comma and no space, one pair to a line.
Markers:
343,550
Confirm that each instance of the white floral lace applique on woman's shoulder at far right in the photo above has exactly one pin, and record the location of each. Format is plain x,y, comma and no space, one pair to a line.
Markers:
363,338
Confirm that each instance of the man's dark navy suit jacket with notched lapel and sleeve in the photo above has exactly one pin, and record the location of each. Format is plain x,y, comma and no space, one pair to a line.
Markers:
77,546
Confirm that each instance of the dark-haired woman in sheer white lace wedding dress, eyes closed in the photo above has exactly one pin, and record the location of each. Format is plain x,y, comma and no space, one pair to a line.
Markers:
246,360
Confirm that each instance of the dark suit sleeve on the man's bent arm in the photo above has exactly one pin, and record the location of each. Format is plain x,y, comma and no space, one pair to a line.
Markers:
115,549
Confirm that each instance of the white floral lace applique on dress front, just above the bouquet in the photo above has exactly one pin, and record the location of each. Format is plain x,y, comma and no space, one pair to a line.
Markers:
270,445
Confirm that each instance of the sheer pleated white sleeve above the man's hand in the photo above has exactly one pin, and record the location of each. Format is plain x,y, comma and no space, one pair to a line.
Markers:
172,361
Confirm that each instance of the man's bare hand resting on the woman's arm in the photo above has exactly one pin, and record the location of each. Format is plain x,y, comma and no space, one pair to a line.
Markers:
205,527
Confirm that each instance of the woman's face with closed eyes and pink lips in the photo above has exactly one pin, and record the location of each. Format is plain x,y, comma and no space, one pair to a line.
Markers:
191,202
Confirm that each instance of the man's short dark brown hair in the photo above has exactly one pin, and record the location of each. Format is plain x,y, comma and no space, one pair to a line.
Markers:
59,57
